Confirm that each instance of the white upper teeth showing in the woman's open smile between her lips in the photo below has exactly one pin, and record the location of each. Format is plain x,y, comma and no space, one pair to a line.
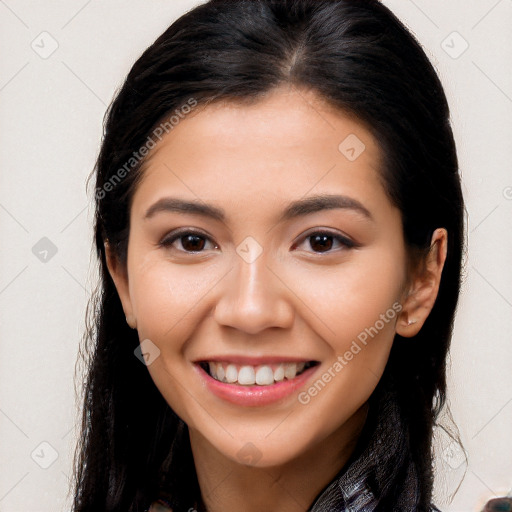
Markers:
260,375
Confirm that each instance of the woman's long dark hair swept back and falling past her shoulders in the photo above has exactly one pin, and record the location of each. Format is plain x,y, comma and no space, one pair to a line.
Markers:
359,57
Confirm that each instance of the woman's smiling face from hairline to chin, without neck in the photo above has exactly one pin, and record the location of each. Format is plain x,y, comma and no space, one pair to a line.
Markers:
257,280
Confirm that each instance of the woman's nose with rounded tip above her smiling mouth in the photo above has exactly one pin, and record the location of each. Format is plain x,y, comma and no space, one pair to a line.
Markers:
254,297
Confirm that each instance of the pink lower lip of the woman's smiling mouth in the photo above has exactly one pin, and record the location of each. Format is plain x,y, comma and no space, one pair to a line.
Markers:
255,396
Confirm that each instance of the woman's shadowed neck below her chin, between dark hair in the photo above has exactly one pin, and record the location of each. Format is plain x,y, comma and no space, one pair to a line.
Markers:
290,487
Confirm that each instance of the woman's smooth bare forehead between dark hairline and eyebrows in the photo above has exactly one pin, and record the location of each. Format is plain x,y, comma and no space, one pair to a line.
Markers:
286,144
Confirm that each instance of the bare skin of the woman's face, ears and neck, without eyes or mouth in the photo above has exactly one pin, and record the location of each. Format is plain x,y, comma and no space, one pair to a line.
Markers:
293,299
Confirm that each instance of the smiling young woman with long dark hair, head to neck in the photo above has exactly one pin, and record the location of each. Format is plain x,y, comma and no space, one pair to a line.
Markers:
279,224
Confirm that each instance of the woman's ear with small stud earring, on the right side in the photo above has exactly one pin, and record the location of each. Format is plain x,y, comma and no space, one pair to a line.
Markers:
424,287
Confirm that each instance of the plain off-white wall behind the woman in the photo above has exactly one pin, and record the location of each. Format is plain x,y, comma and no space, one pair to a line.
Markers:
50,128
